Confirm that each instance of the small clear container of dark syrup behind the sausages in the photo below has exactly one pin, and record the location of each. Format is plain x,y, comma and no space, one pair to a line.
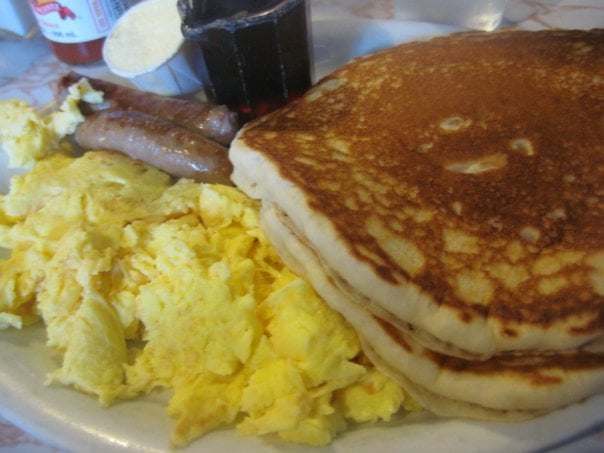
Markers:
257,54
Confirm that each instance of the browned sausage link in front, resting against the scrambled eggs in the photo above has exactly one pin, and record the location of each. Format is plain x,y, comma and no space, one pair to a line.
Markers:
158,142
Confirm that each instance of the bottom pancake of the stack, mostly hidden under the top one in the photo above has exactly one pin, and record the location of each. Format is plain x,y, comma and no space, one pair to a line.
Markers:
509,387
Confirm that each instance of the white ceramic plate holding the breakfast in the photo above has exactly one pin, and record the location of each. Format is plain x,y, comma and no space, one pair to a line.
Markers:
76,422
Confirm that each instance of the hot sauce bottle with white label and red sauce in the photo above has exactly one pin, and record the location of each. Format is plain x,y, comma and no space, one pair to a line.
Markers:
76,29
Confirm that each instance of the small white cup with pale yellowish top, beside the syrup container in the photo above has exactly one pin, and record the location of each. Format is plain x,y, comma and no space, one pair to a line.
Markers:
147,47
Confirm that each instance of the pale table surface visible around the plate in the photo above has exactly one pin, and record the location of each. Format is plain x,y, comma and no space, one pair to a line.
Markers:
28,69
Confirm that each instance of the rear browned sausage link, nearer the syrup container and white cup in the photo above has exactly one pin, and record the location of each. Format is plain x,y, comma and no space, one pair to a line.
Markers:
215,122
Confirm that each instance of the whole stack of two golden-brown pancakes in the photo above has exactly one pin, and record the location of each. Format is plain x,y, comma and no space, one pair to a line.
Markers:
446,197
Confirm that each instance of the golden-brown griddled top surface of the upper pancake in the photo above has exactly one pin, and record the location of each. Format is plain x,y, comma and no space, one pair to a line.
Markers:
471,165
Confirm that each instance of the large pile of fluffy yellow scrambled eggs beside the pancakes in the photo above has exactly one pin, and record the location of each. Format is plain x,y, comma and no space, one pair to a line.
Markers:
144,285
